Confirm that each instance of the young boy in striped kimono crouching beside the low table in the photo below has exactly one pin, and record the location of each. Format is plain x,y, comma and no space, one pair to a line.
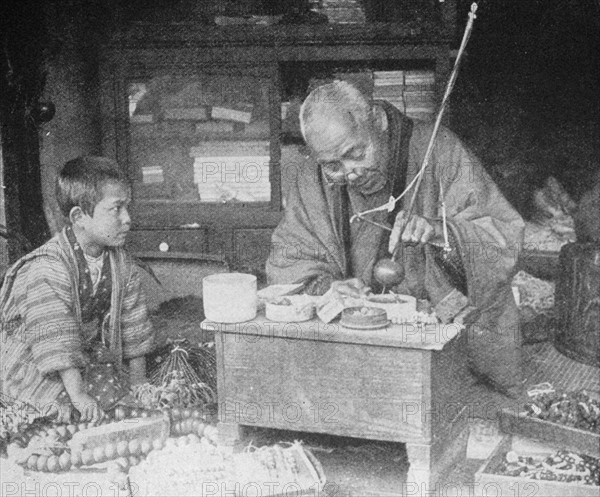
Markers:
73,309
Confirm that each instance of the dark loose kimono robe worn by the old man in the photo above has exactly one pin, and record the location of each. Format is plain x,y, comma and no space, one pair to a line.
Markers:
487,233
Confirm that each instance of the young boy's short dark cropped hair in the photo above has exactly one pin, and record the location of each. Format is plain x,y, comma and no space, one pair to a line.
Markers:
80,182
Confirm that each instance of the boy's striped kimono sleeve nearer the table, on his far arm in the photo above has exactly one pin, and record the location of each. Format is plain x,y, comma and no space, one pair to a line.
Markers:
138,335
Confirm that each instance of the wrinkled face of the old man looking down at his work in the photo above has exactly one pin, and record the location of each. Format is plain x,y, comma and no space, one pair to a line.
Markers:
349,153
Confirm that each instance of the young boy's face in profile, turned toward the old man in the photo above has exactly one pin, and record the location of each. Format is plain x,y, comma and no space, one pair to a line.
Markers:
110,222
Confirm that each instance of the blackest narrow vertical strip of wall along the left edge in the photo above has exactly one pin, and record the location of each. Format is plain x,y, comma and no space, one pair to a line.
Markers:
22,79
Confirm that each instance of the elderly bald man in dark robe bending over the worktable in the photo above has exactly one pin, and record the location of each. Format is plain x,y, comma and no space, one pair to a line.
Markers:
363,153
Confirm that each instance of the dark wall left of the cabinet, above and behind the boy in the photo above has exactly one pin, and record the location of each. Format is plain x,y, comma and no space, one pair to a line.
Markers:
50,56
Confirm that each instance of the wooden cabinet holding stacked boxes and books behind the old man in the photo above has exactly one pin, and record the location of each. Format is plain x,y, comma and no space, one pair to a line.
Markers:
205,119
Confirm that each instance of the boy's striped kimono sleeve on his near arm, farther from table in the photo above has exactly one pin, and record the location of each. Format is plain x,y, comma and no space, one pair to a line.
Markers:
50,326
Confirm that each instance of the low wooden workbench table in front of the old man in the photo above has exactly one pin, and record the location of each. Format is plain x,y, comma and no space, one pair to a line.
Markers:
401,383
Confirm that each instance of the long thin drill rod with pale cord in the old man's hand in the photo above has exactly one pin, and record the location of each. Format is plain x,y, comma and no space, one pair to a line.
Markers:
416,182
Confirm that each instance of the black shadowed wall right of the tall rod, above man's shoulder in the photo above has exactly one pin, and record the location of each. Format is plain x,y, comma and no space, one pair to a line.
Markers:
528,95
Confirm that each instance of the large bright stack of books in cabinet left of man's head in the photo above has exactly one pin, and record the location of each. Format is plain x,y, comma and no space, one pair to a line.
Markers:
232,171
